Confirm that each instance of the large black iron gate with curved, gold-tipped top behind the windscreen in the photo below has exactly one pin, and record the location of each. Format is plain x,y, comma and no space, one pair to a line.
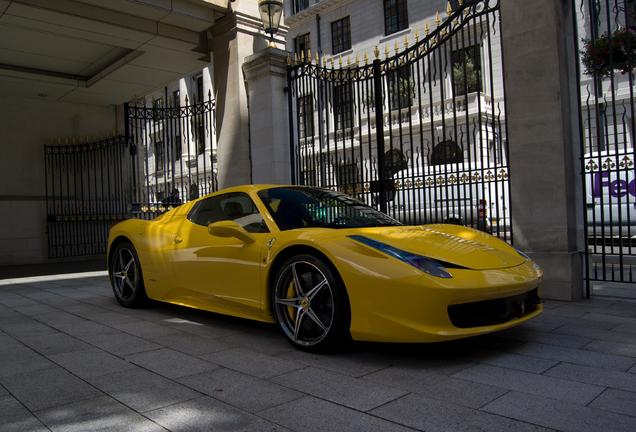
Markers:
418,132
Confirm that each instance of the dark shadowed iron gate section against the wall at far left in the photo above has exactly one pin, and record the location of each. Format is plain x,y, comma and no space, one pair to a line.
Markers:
87,190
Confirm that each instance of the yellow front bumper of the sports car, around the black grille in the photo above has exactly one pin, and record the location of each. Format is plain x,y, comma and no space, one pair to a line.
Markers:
423,309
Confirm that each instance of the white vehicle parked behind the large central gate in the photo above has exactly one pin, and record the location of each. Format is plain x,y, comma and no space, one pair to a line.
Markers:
458,193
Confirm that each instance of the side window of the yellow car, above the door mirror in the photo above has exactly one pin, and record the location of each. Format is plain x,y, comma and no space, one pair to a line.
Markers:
237,207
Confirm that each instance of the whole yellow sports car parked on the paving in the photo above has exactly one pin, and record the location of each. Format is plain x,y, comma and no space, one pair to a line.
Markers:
323,266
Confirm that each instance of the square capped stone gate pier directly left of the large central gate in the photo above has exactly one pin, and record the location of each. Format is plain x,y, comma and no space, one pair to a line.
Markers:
266,75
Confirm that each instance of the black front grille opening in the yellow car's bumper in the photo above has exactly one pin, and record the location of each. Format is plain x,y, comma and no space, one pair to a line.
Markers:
491,312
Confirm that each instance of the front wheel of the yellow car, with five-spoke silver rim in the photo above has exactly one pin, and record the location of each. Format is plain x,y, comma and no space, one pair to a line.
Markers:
321,305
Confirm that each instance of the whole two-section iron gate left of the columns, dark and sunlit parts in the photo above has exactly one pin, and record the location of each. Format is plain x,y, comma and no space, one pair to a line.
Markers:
167,156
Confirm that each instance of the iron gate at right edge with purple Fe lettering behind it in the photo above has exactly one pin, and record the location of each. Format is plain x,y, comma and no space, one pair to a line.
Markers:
606,43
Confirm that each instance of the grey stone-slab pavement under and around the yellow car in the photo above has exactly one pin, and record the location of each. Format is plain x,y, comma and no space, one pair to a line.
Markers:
71,359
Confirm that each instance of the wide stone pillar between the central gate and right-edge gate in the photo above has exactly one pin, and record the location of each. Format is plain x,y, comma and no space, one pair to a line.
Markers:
542,116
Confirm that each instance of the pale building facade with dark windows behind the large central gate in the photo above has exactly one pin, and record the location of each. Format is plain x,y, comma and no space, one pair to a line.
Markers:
443,109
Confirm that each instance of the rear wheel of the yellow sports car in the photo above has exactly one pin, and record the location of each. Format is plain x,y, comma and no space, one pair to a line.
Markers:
126,277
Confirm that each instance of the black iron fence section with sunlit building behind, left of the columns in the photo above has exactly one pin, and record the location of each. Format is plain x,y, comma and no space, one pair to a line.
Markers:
173,152
